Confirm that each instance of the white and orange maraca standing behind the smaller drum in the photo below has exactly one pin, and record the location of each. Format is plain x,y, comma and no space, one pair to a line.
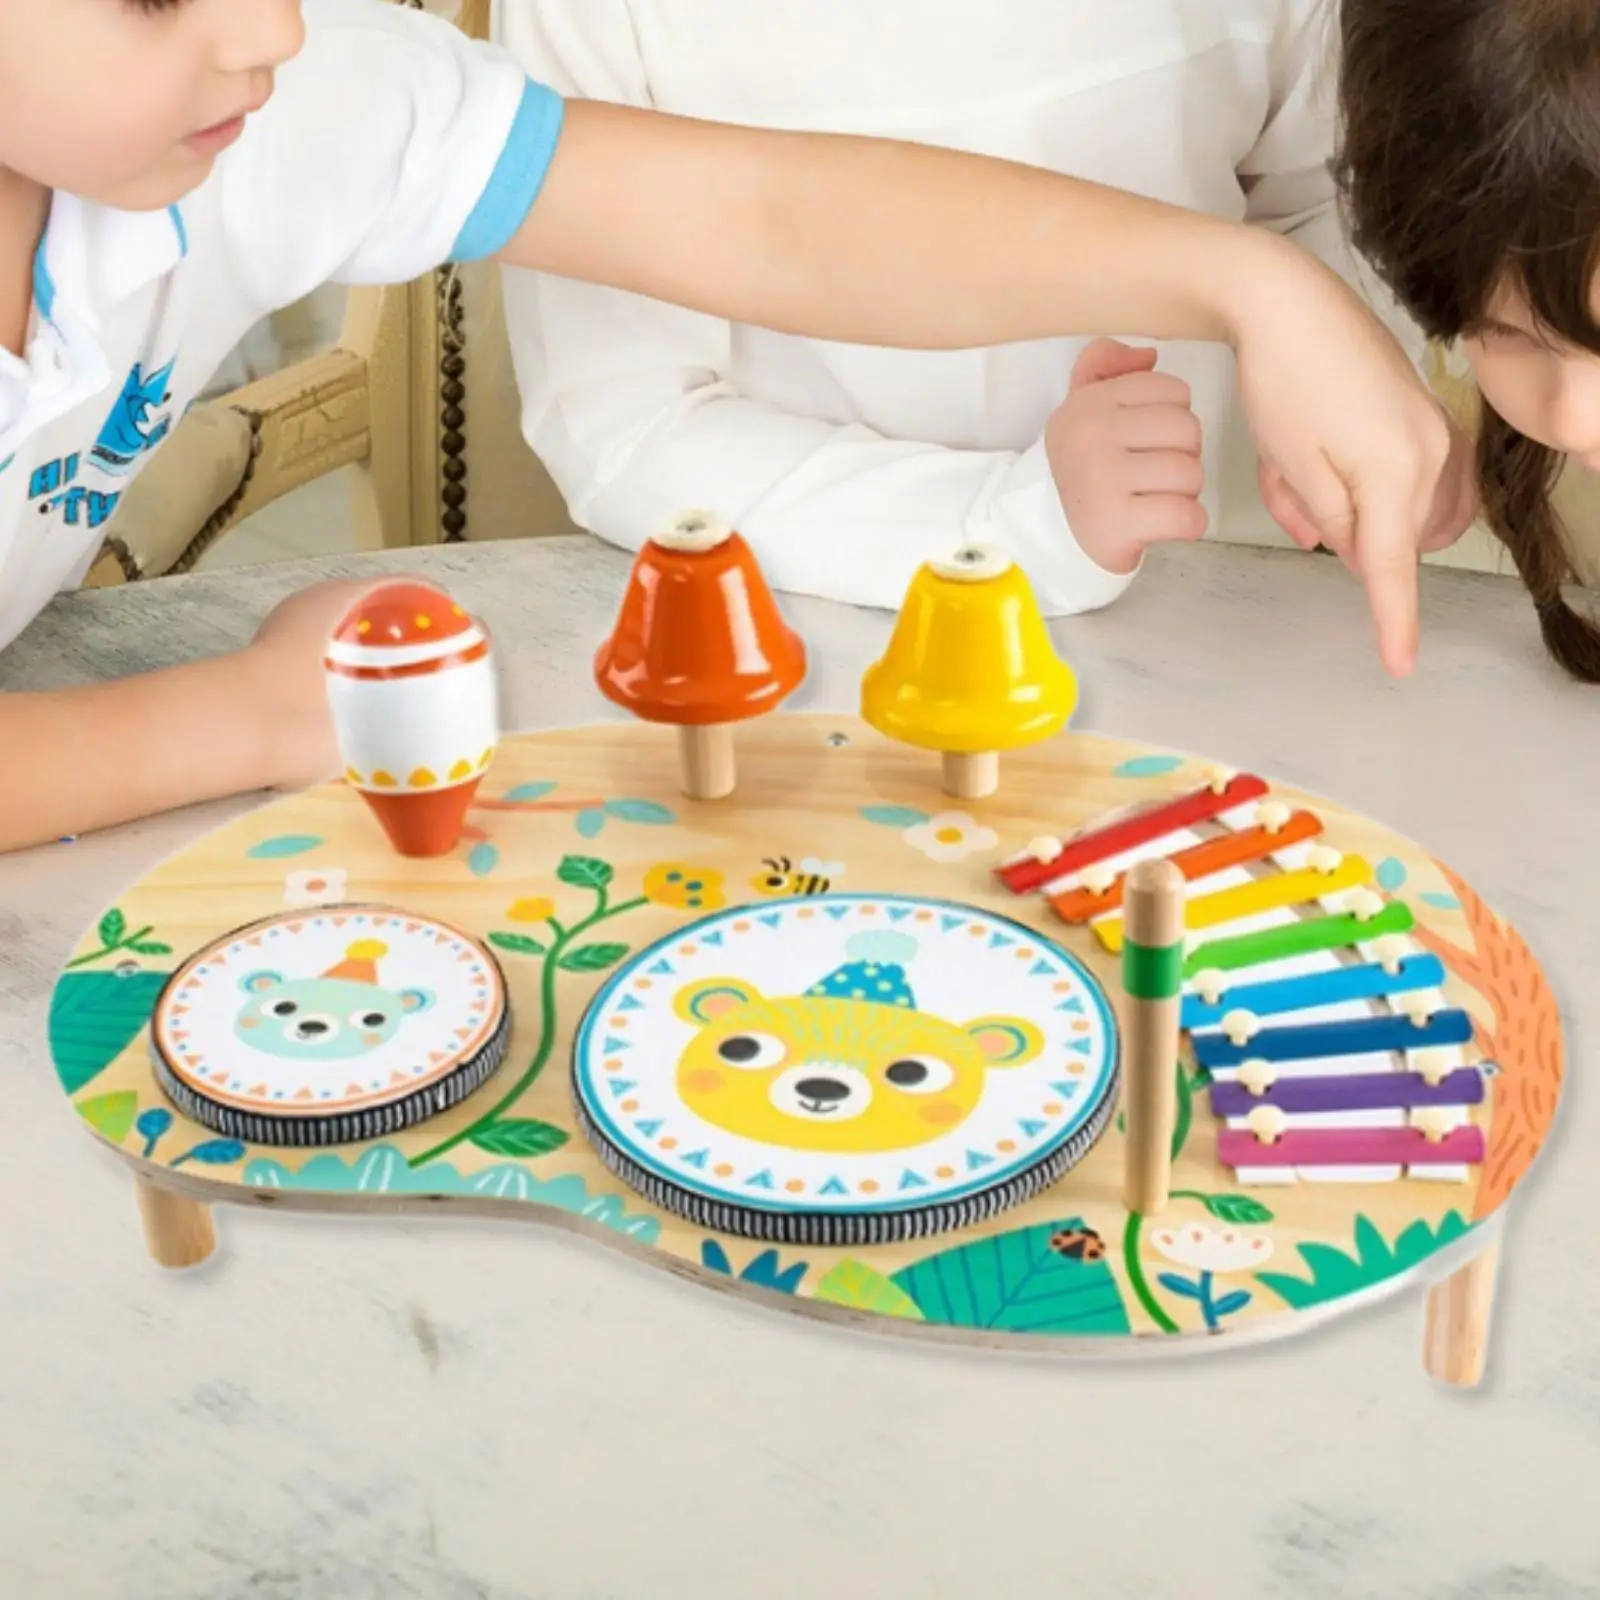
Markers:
417,713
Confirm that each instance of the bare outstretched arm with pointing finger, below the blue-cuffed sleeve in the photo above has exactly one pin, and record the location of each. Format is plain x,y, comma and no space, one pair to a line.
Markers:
889,244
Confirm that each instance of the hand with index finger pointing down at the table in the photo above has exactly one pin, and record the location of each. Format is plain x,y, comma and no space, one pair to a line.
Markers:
1348,433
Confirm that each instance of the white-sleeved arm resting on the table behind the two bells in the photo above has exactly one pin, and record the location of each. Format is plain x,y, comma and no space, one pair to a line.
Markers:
628,407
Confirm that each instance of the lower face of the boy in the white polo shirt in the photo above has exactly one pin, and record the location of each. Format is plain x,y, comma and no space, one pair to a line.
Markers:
130,102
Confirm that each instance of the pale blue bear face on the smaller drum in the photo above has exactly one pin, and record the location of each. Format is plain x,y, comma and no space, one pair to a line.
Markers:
322,1018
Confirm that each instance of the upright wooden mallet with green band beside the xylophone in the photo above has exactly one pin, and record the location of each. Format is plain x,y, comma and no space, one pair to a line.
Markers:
1153,980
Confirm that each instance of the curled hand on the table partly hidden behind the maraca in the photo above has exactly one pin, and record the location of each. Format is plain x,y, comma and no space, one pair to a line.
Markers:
286,662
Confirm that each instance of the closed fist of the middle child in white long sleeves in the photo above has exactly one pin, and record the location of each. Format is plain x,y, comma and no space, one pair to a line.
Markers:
1126,454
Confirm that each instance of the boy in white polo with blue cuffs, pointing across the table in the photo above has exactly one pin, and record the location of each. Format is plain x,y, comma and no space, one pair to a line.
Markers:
207,161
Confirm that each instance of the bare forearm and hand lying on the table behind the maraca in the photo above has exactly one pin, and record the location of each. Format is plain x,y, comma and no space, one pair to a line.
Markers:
108,753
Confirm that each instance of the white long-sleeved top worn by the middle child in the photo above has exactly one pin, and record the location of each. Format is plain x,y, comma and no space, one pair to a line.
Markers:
847,466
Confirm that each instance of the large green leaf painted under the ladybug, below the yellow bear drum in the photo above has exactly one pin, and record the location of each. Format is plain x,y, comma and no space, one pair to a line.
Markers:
1017,1282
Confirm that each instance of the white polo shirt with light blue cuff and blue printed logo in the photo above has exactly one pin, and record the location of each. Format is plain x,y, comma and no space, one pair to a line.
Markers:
391,146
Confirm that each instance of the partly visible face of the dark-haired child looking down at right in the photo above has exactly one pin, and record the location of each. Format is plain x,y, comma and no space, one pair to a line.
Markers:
1545,390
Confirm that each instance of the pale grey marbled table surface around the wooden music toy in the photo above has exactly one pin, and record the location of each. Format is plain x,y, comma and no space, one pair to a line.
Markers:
457,1409
